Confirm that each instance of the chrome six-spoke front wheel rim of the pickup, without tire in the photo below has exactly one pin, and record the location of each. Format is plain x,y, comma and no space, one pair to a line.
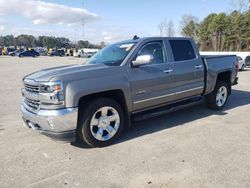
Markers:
105,123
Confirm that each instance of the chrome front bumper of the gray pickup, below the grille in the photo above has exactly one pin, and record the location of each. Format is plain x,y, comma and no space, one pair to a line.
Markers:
56,124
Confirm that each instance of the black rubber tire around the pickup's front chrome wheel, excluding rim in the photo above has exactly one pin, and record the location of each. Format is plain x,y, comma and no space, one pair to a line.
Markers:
84,129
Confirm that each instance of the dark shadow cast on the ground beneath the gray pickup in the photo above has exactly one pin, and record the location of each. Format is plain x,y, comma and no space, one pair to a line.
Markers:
237,99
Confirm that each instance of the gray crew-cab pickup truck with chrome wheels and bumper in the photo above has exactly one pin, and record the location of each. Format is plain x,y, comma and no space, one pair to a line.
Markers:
138,78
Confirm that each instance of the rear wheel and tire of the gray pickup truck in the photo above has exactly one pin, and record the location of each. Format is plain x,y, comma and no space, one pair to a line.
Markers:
218,98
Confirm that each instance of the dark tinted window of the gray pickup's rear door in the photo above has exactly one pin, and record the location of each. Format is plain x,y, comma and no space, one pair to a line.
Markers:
182,50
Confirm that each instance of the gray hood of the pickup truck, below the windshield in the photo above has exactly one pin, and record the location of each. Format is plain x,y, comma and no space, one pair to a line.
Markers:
62,71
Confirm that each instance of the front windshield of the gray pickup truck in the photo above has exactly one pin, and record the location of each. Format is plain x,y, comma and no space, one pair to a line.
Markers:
112,55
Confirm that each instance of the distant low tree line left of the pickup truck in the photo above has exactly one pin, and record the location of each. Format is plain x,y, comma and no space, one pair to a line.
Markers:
45,41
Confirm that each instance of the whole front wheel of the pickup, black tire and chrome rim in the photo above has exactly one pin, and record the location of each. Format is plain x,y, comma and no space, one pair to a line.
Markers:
101,122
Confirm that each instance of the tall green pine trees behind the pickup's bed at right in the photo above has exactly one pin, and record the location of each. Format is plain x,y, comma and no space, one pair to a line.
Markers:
219,32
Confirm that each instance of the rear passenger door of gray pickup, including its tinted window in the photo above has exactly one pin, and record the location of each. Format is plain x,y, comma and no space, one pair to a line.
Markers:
188,68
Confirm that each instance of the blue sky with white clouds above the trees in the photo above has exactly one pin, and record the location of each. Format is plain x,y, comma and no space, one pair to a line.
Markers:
104,20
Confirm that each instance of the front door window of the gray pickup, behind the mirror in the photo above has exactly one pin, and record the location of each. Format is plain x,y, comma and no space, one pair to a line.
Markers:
155,49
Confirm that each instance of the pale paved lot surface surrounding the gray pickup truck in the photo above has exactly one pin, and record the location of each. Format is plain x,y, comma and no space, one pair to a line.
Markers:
194,147
